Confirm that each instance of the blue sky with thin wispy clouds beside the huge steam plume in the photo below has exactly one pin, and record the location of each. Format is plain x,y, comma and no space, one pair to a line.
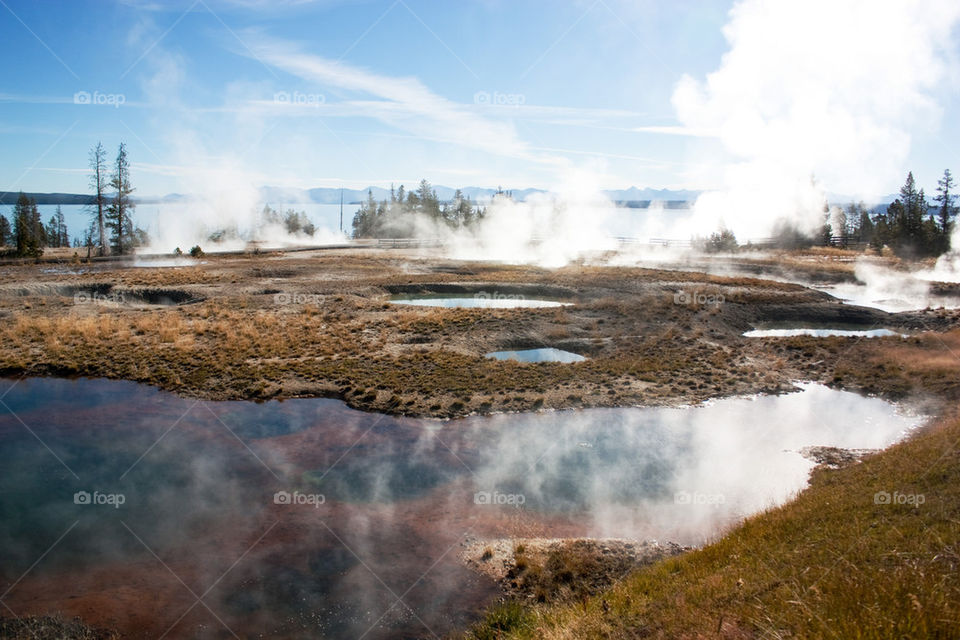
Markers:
327,93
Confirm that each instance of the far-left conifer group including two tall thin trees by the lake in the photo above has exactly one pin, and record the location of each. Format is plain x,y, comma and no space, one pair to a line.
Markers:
111,228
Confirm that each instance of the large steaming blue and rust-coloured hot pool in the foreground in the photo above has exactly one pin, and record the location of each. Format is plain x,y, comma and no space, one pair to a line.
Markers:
124,504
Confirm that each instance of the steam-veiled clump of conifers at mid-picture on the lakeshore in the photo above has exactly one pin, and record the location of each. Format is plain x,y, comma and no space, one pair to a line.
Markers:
397,217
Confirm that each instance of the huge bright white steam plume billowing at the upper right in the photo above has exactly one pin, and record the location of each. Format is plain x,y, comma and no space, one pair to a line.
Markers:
815,95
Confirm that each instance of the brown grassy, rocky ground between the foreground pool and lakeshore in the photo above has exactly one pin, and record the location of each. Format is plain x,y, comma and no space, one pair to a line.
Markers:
321,324
